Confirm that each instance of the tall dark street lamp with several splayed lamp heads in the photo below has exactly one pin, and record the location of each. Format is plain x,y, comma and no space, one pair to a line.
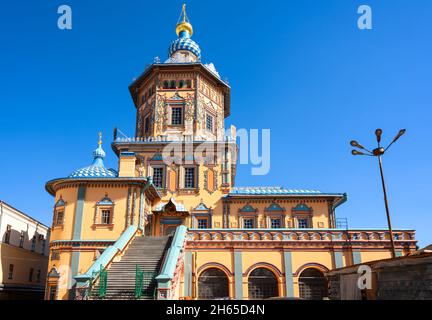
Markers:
378,152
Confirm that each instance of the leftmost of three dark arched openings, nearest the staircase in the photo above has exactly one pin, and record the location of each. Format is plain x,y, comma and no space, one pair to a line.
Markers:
213,284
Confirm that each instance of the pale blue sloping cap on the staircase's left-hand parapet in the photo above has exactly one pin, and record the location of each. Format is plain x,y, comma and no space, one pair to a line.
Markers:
106,257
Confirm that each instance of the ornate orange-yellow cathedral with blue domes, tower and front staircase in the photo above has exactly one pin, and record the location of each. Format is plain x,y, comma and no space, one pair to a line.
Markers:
170,223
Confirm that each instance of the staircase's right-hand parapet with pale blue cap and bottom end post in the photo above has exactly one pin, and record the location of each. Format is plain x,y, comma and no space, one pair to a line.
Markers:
168,279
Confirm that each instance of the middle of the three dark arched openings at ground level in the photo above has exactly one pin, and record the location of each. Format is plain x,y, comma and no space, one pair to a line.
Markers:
262,284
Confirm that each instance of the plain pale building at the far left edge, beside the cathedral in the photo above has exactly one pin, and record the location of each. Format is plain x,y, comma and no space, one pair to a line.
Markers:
24,249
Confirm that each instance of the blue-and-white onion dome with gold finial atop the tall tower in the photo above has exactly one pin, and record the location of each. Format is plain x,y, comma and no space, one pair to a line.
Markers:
184,31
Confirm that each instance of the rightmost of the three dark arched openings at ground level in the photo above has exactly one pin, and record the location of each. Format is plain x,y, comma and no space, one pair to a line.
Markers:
313,285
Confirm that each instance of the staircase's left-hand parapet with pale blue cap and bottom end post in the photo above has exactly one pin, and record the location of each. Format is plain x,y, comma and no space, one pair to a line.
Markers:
87,280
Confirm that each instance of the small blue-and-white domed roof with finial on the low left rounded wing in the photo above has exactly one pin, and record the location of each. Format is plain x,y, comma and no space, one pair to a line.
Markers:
97,168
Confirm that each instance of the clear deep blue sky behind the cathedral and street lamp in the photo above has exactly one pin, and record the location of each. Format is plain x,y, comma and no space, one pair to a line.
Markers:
301,68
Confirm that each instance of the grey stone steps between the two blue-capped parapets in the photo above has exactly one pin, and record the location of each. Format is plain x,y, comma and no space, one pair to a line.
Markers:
145,252
